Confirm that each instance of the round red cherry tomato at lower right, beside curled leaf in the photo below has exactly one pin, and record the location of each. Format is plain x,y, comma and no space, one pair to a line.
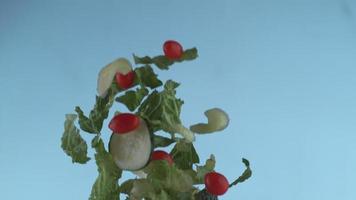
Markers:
216,183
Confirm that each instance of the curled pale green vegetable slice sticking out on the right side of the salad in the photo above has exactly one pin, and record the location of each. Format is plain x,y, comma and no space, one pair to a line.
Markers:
218,120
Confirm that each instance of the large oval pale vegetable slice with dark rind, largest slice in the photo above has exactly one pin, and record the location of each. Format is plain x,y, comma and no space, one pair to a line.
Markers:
132,150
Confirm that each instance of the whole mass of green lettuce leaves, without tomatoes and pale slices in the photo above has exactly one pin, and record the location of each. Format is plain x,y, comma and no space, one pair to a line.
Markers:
161,109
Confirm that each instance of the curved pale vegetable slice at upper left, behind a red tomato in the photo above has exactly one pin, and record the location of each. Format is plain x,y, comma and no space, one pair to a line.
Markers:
107,74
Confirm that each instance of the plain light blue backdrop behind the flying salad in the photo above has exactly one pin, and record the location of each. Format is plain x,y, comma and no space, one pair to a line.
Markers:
283,70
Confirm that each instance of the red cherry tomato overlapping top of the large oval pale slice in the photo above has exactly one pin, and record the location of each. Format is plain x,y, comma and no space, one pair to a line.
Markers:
124,123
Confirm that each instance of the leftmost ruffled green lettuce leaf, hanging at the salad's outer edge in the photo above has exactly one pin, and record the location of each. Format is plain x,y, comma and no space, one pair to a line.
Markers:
72,143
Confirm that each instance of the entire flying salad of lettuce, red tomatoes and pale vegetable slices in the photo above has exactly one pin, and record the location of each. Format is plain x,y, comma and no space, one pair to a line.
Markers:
135,145
